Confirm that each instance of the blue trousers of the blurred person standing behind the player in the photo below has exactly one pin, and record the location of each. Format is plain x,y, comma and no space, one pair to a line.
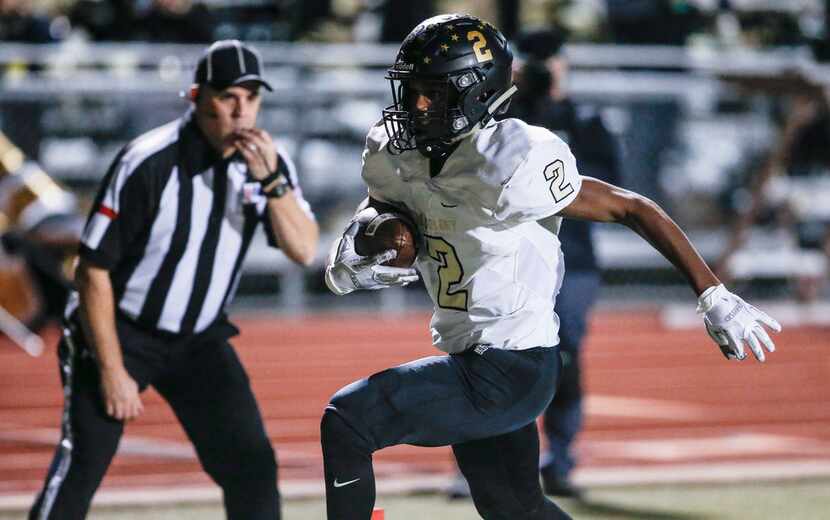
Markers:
563,418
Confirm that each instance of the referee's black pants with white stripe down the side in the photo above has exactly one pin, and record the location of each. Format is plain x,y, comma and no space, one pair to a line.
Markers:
207,387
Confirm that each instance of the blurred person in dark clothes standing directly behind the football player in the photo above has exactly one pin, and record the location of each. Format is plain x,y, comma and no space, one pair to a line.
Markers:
543,100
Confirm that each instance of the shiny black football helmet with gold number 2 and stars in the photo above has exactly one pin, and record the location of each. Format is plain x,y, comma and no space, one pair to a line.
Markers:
462,66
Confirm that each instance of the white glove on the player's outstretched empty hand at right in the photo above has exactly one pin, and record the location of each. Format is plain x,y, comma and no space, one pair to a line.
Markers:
730,321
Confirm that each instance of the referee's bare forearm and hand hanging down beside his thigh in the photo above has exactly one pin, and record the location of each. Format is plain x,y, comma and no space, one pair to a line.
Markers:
119,390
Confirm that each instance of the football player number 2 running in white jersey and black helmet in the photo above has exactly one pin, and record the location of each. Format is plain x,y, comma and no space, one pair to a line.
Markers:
488,198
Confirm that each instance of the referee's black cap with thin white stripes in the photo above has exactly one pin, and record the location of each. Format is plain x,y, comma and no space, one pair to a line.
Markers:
229,62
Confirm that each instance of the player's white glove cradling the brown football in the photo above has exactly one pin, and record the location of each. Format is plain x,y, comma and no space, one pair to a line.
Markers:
347,271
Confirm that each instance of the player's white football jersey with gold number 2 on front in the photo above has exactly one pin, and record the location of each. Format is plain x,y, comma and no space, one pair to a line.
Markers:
491,267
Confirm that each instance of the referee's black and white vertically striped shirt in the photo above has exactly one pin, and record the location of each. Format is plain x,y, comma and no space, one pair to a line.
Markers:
172,223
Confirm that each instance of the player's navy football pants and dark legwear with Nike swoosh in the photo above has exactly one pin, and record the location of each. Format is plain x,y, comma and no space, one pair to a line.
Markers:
483,404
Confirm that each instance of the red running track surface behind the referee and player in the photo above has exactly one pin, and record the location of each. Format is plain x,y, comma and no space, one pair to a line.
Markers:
658,399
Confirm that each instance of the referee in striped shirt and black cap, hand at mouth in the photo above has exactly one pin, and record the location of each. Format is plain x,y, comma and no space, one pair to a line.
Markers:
159,260
